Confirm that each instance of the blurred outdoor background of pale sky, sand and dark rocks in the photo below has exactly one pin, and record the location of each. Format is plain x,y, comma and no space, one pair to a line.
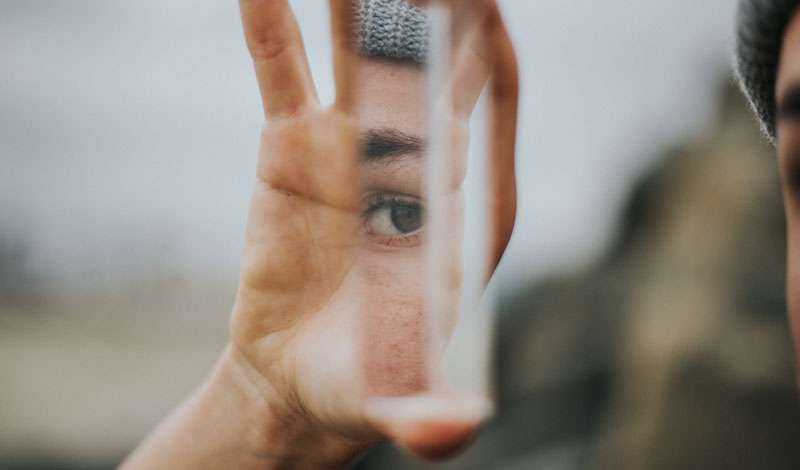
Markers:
641,322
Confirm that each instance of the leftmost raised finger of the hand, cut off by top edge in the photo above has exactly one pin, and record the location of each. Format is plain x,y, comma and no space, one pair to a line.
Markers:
276,45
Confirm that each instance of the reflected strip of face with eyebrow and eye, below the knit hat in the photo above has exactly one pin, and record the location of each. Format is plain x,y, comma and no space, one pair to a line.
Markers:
391,110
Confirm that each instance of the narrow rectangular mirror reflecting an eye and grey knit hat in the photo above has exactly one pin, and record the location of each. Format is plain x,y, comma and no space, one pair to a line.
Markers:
421,273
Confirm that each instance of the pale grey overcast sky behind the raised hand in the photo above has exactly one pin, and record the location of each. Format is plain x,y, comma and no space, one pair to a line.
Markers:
129,129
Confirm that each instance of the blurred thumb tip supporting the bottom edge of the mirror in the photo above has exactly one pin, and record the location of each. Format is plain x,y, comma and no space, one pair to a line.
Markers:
432,426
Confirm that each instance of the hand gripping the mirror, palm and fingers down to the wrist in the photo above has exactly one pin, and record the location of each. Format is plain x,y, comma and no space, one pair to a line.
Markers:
296,321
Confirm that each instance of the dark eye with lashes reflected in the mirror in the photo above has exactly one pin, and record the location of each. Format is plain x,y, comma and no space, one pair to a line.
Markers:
393,218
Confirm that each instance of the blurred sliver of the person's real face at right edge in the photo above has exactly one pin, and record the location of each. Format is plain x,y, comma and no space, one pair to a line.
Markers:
788,135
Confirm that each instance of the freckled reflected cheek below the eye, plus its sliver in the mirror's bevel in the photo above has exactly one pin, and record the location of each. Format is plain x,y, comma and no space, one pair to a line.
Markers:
397,341
